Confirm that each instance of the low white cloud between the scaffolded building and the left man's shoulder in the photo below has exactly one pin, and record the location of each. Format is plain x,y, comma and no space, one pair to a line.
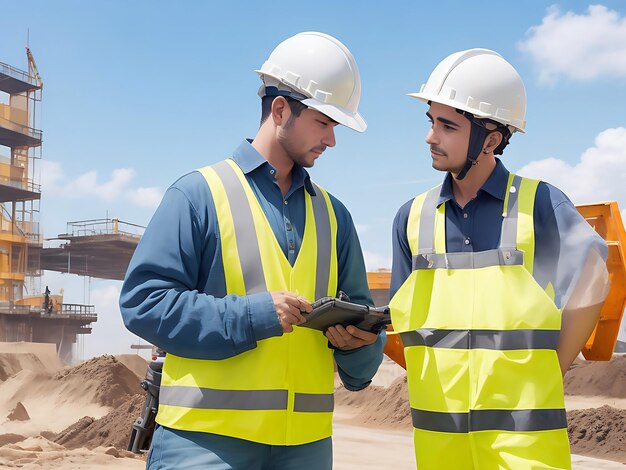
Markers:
117,187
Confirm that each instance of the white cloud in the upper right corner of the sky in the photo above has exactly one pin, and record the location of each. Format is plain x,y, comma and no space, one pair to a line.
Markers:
580,47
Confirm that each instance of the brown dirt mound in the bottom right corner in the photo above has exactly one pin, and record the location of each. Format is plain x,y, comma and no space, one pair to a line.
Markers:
598,432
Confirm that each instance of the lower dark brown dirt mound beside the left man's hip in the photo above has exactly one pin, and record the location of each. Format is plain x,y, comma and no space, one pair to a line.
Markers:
111,430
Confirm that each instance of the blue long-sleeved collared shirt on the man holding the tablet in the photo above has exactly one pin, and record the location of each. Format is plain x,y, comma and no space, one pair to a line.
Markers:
174,294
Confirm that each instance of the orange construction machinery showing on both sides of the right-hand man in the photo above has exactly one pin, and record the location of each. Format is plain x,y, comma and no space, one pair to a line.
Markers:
606,219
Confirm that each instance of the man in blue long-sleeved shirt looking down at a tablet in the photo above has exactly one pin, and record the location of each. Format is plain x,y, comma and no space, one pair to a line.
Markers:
233,257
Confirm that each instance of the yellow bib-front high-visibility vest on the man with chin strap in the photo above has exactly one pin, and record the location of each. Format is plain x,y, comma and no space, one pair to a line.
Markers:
480,337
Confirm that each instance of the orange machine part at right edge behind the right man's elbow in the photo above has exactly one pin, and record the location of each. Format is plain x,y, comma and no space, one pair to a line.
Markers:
606,219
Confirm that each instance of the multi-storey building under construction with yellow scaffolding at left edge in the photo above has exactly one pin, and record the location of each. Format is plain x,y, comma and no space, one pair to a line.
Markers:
27,314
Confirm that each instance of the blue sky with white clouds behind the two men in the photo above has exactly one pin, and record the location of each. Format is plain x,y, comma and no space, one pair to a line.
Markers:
139,93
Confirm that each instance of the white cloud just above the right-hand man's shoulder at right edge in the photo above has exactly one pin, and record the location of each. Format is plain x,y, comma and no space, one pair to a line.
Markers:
598,176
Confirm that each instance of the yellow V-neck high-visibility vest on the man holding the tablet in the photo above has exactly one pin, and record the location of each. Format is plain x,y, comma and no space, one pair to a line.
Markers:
281,392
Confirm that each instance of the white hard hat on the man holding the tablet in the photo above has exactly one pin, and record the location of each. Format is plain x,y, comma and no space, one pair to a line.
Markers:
323,70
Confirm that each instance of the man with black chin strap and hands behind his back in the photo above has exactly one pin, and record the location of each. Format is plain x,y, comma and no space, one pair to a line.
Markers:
497,282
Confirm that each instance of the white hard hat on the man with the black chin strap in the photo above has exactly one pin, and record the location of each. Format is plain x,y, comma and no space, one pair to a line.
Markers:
480,82
